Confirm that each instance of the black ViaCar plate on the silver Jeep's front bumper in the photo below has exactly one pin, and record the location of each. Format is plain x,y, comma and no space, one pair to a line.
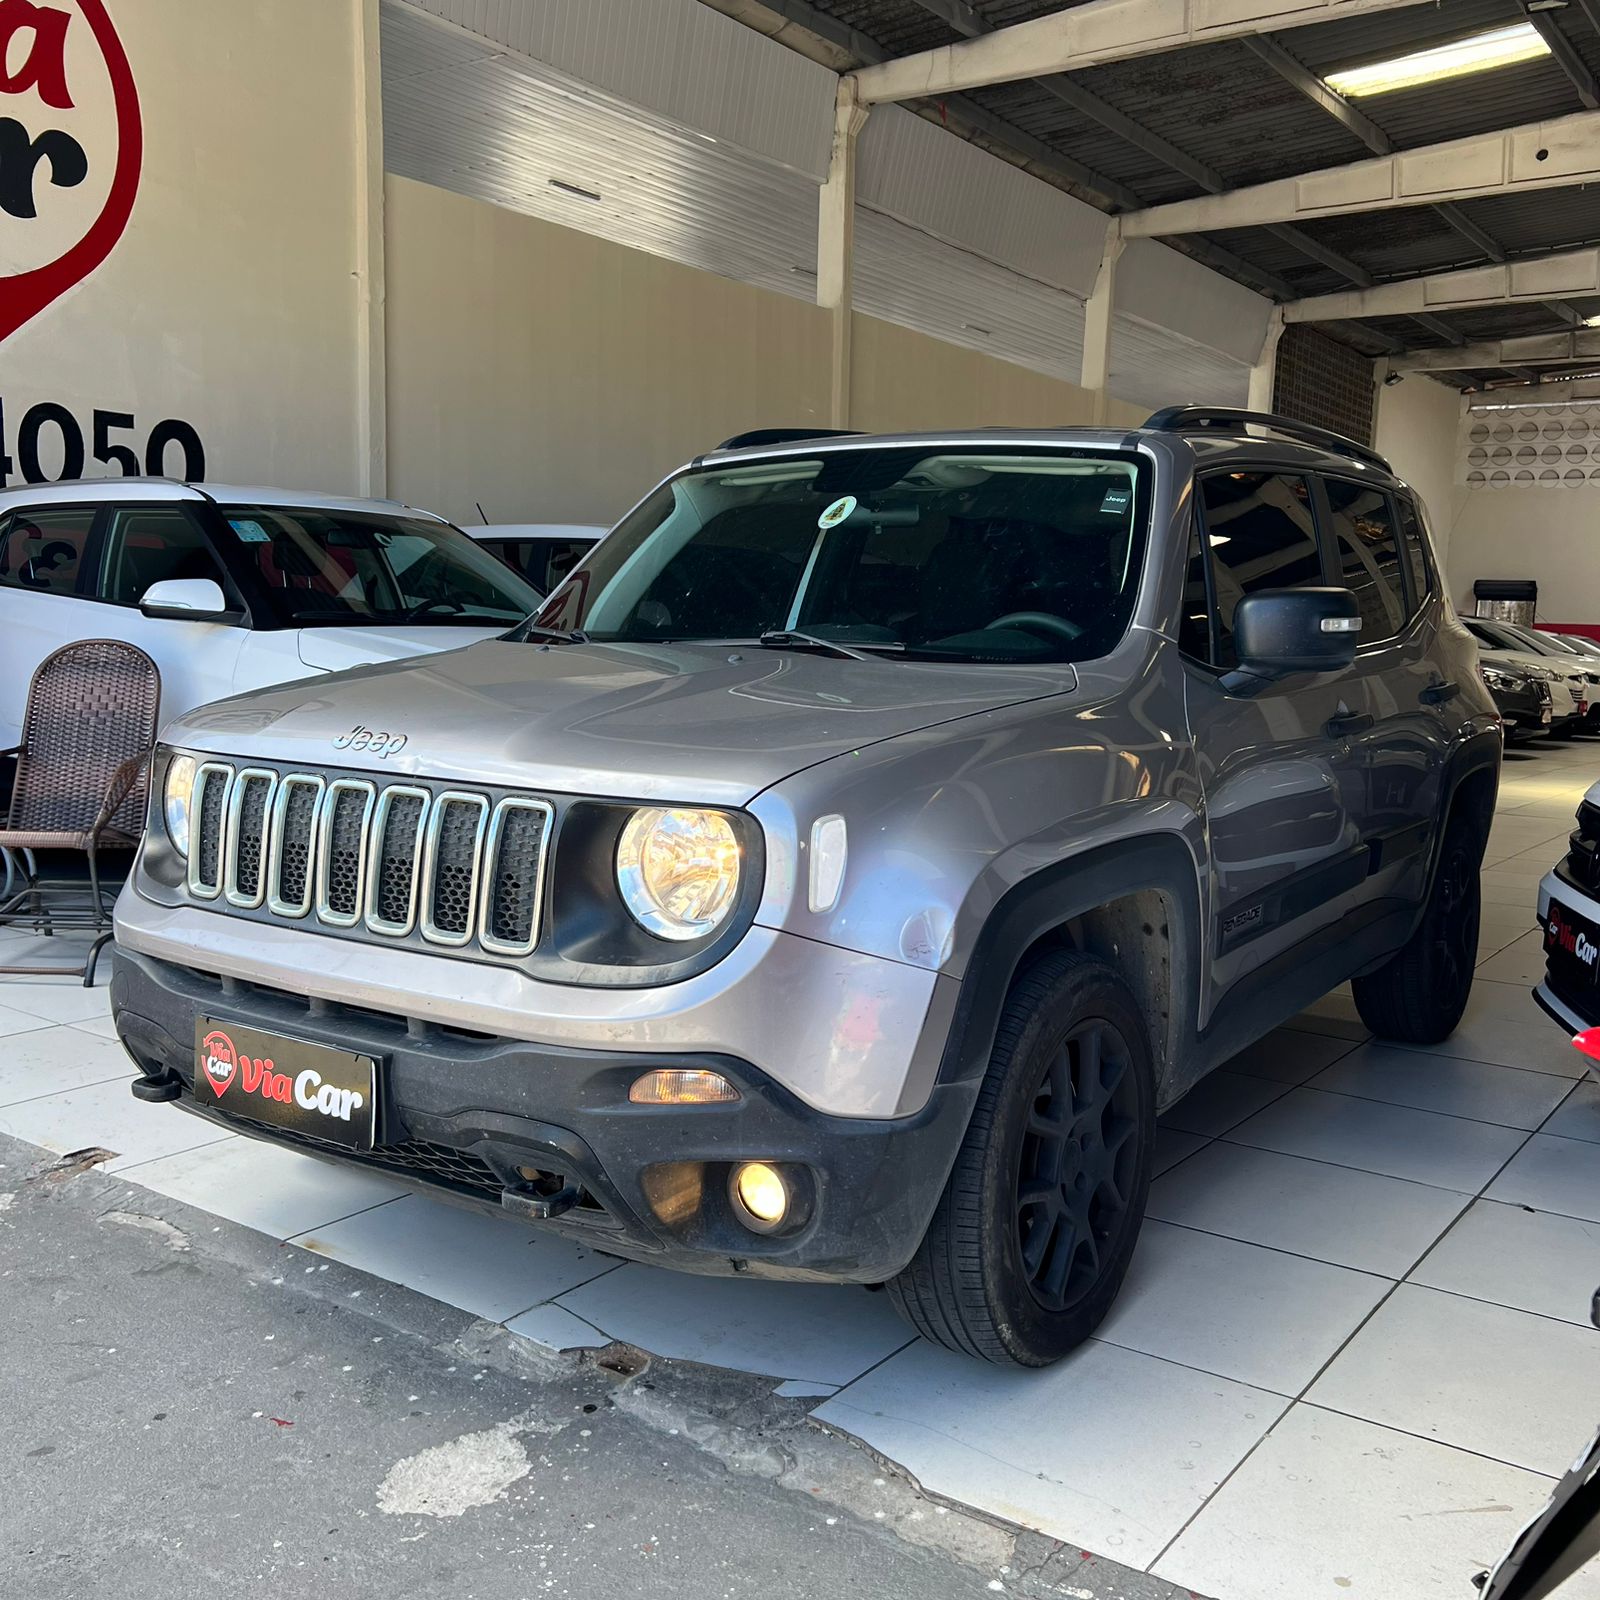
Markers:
290,1084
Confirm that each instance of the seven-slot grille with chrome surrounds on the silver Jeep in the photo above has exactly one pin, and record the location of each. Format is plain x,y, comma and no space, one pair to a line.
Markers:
399,862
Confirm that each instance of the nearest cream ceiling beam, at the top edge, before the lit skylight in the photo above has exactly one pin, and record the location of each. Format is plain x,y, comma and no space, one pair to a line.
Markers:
1094,34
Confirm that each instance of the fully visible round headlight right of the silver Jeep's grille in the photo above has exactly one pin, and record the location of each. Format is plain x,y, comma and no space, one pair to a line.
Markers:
679,871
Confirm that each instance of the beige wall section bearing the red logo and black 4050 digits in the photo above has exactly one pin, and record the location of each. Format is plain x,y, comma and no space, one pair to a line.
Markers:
231,302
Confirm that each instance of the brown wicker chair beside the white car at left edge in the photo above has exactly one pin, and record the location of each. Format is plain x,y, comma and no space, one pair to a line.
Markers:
82,774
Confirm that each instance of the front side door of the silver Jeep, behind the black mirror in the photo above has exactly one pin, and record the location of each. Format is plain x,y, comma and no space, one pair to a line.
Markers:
1284,782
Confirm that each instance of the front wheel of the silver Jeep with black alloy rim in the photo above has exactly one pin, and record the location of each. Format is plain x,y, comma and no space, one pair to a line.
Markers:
1022,1281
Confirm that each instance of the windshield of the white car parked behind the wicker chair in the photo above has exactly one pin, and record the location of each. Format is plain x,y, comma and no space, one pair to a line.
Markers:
340,569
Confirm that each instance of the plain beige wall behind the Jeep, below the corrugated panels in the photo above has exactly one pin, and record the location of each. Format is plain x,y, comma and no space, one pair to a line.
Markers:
554,377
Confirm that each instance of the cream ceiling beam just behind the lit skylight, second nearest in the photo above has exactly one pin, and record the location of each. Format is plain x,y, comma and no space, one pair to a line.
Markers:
1564,151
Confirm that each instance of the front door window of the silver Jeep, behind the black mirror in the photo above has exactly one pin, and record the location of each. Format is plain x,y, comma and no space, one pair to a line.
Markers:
1263,535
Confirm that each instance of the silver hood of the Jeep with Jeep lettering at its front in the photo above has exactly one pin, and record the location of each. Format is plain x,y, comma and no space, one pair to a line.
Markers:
647,722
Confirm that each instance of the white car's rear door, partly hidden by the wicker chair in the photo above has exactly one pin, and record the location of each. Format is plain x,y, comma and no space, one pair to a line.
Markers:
44,569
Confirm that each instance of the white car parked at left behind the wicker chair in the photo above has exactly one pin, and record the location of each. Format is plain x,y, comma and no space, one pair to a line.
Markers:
233,590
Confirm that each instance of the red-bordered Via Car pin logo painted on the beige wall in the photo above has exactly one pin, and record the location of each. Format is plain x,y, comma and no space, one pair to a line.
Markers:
71,150
